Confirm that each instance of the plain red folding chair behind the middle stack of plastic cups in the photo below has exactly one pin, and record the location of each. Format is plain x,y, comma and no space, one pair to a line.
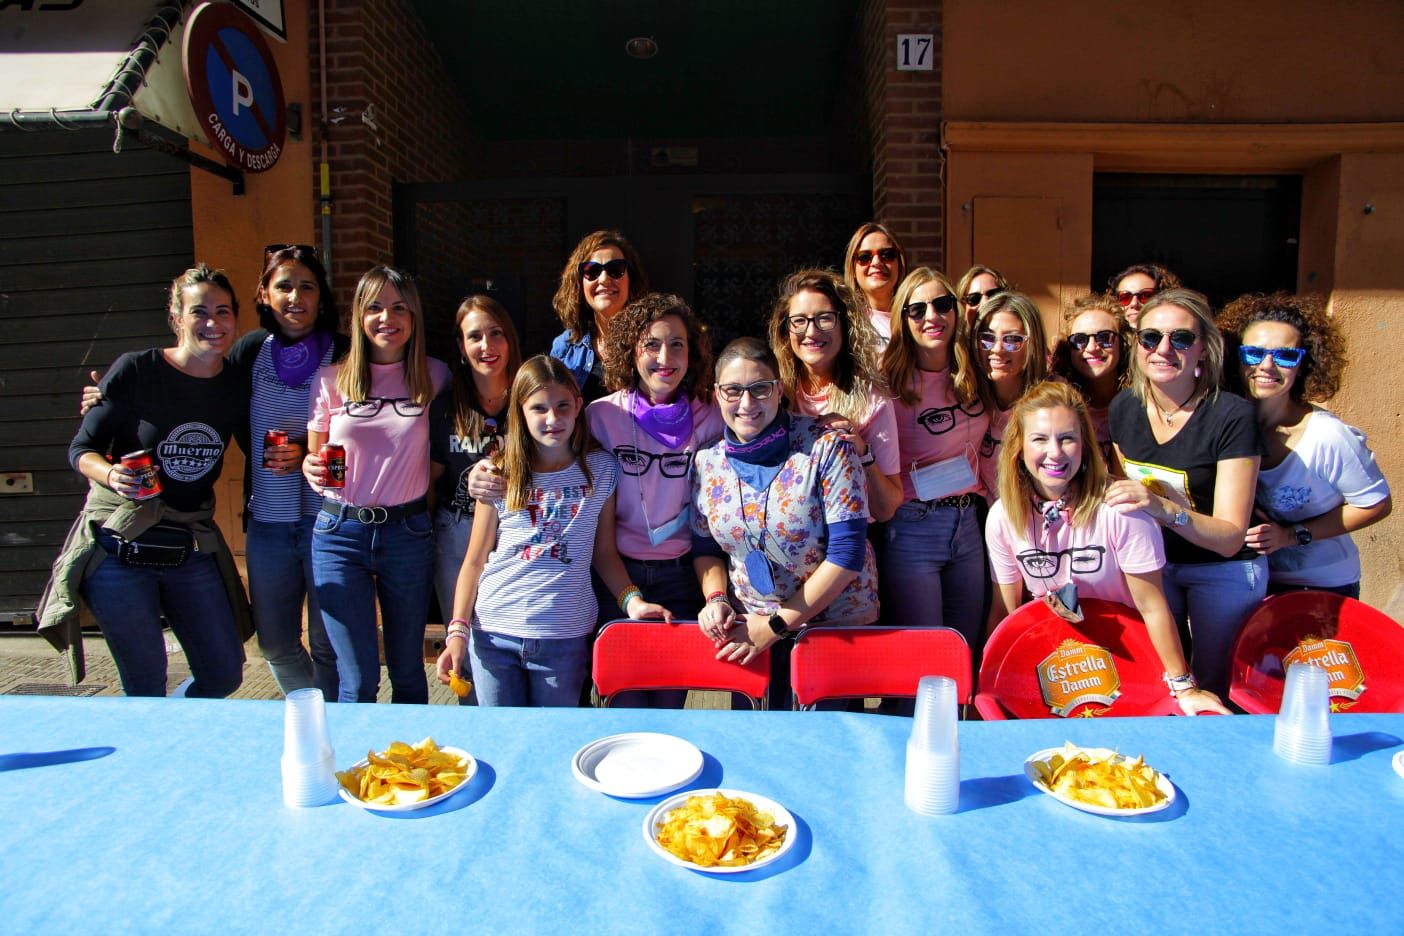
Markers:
854,663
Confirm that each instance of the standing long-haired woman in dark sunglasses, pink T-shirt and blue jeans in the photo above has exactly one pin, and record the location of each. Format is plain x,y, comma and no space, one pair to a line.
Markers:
934,555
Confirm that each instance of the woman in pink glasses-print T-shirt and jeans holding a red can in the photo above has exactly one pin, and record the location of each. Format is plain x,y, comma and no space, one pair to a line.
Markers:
374,537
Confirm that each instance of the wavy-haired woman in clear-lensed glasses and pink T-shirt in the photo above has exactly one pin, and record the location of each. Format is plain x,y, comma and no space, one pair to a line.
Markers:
829,370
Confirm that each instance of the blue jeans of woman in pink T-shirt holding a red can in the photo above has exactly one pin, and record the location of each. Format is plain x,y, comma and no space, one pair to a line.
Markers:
353,565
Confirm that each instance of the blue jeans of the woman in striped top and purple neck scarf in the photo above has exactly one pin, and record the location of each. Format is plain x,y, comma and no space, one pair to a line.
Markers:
280,579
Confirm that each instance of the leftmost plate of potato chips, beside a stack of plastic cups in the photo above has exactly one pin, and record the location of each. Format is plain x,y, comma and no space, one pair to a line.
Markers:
406,777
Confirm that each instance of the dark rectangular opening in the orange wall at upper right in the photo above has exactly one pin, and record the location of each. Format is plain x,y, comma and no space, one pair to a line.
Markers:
1224,235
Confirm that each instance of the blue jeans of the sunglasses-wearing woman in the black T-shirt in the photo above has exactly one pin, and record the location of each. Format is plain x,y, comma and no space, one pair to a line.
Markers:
1215,600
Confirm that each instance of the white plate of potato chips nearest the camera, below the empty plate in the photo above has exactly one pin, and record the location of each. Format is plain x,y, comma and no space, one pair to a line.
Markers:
720,831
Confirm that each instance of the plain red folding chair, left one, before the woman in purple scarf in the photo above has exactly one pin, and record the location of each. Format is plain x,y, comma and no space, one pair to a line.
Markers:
651,655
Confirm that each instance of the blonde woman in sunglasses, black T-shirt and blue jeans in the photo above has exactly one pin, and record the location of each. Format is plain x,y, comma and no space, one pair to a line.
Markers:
1191,455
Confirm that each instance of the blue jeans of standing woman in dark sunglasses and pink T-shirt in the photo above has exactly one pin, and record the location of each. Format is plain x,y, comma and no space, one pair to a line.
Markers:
934,566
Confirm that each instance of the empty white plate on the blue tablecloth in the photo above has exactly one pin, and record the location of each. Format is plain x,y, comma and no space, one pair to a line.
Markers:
638,765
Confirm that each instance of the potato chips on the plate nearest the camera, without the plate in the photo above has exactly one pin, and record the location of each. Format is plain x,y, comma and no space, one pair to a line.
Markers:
717,831
